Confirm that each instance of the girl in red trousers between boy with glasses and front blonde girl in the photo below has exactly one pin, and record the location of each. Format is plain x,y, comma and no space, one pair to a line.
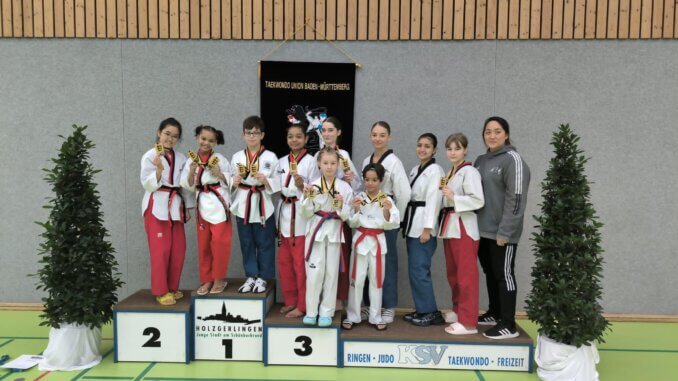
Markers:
295,170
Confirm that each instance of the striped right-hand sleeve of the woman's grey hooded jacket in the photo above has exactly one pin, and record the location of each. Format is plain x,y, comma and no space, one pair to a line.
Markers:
516,176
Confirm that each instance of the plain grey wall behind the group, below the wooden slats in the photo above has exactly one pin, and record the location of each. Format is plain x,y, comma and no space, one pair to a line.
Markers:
619,96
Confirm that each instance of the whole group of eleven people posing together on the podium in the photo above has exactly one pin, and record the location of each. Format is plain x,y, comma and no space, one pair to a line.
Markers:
336,227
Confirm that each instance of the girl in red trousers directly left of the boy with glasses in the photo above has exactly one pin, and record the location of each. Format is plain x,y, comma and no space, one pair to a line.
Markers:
209,174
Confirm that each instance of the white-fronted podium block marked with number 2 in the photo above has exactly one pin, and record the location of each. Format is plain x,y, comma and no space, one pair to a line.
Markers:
147,331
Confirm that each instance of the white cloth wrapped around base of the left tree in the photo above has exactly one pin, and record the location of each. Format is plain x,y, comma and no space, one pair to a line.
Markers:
72,347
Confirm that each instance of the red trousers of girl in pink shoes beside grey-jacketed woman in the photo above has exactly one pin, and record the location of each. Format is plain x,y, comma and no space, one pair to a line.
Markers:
461,258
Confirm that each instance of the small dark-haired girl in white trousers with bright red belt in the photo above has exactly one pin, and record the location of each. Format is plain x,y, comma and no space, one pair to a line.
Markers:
372,211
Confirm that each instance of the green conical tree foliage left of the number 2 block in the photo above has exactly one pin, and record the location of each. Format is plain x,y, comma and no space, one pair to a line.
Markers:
79,269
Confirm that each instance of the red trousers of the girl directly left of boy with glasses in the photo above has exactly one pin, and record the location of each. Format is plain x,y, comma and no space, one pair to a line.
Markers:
214,249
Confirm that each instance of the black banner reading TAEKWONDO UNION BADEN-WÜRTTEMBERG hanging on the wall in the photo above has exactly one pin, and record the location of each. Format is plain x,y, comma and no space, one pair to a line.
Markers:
307,92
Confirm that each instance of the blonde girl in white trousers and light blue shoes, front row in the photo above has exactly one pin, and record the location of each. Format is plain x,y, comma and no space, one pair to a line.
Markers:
326,203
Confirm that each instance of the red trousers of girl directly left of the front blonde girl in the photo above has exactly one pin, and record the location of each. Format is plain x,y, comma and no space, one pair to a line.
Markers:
291,264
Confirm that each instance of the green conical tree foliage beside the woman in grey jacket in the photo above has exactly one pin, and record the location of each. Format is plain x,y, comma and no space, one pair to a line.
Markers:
566,276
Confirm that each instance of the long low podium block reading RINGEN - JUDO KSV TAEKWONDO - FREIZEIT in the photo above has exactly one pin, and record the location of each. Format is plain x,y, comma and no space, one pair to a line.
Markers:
404,345
